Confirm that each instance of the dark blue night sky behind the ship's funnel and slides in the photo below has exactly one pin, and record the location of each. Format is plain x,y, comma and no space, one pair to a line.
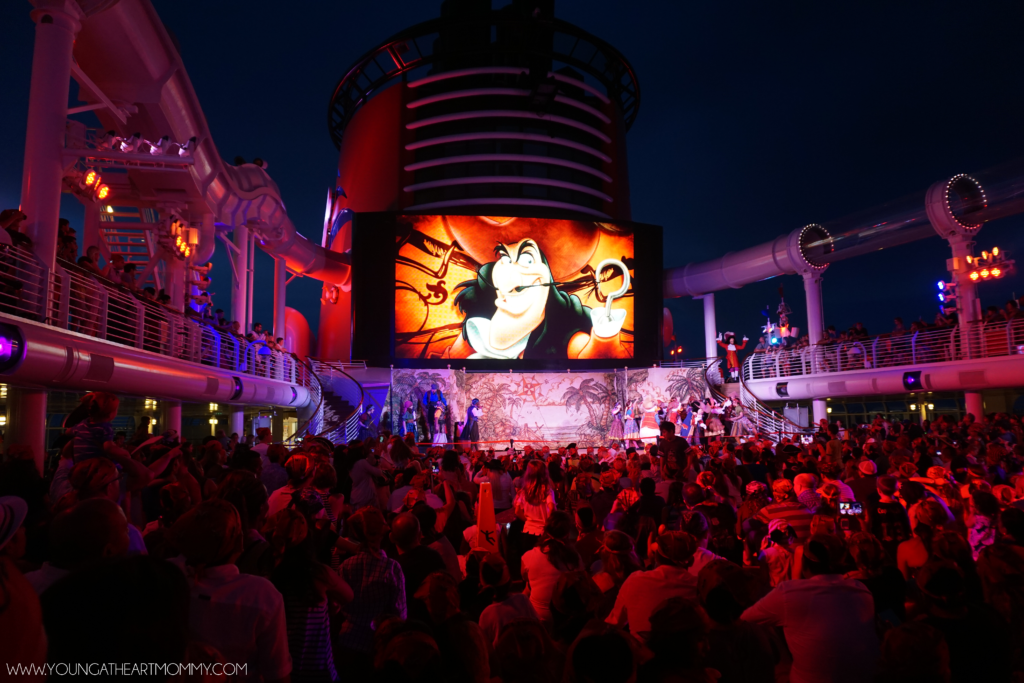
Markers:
756,118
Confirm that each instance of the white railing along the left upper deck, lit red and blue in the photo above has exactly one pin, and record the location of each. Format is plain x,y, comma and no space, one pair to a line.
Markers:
73,298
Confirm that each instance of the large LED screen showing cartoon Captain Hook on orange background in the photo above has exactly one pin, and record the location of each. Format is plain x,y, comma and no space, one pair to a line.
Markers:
500,289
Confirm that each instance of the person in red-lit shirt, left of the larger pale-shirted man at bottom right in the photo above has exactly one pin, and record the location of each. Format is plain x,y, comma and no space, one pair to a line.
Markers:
645,591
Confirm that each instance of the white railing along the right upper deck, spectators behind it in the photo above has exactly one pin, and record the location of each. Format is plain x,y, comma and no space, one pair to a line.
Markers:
965,343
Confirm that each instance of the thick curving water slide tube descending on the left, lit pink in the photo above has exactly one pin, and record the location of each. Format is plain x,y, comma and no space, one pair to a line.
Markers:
127,53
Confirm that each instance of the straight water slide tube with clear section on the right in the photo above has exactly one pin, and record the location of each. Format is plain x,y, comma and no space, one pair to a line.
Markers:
971,201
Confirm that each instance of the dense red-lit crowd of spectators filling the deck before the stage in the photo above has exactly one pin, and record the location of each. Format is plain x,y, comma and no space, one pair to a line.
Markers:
893,552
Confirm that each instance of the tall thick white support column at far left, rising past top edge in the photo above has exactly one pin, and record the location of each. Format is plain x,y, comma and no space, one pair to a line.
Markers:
58,22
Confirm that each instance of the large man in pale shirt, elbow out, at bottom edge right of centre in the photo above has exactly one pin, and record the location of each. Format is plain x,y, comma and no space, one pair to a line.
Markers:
829,621
